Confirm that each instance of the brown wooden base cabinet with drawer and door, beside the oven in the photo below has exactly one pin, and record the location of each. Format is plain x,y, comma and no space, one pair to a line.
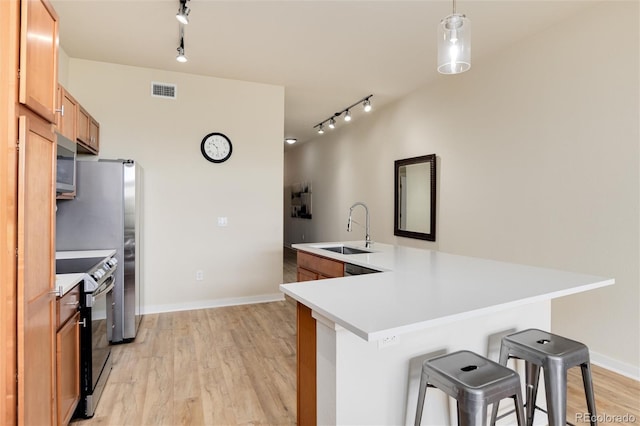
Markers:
68,355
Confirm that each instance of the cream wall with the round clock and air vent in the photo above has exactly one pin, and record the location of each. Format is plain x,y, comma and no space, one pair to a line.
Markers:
183,193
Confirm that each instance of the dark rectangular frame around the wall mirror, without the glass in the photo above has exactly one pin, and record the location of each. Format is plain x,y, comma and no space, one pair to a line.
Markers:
431,236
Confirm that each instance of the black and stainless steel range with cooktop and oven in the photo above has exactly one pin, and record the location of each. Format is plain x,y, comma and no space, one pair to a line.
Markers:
96,315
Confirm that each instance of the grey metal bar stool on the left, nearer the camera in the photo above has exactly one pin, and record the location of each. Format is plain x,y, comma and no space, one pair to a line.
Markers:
474,381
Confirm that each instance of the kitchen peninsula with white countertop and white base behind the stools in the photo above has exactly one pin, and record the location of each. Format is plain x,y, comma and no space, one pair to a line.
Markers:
373,330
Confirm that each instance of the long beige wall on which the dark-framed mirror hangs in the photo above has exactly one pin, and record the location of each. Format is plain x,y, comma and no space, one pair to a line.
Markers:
538,163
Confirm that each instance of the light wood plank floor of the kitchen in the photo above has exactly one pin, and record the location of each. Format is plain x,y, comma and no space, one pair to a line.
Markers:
236,365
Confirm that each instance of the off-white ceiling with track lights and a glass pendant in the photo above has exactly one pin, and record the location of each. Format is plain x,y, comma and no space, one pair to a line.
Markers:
327,54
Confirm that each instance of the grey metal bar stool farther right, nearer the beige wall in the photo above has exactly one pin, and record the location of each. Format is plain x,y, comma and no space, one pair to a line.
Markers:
555,354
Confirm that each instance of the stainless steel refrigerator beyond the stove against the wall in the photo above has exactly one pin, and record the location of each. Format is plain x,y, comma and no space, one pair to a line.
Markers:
105,214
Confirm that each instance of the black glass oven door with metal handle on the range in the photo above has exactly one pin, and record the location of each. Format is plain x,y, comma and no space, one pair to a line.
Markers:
98,303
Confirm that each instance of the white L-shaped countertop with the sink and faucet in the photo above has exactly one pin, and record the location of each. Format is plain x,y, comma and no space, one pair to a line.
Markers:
425,288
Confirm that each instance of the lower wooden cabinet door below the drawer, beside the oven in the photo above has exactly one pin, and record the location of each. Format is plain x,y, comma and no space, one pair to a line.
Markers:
68,369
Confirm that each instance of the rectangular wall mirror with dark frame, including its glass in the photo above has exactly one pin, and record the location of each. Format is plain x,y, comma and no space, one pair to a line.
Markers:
415,198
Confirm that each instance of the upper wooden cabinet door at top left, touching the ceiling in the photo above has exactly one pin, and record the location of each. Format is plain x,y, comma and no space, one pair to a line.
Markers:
39,57
